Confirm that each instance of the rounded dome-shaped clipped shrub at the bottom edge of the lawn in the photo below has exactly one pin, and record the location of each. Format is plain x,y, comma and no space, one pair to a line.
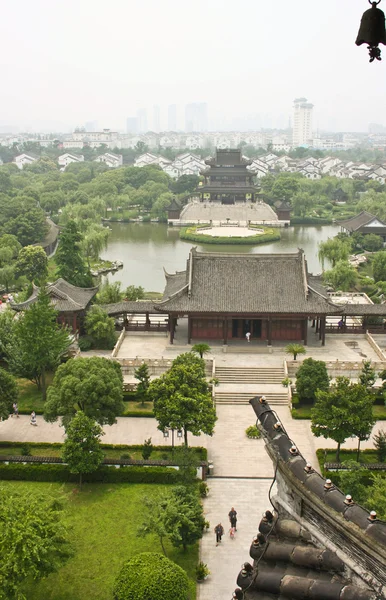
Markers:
151,576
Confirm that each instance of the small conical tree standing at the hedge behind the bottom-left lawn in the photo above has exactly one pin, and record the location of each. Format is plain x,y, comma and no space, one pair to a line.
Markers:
82,450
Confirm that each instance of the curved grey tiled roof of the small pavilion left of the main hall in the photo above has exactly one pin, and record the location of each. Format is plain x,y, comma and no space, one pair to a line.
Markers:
65,297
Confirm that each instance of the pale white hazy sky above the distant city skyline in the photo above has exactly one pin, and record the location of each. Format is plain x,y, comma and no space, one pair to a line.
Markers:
65,63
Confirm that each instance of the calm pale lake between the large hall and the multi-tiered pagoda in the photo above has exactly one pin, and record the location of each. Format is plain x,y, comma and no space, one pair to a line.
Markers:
146,249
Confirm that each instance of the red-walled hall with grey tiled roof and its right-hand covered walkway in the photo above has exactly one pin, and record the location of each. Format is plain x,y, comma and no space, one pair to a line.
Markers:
272,296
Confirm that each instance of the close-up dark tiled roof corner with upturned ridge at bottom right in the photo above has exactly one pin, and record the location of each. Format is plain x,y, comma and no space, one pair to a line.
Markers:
313,542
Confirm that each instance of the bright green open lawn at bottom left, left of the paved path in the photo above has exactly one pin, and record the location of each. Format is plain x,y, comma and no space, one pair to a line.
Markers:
104,521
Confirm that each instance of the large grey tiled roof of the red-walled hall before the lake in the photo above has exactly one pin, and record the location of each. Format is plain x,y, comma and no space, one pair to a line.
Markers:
244,283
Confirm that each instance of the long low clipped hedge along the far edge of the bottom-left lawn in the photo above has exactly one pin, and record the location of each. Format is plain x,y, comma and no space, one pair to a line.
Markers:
61,474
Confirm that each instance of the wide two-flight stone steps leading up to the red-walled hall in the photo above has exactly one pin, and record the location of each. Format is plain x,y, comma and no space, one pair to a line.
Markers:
237,385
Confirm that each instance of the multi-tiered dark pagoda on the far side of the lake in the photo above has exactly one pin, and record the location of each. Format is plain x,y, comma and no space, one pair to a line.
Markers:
227,179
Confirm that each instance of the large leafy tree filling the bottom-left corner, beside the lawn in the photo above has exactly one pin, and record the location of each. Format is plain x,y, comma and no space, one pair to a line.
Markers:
33,540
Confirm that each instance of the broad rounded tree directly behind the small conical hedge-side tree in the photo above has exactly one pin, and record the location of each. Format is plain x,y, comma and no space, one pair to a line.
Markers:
92,385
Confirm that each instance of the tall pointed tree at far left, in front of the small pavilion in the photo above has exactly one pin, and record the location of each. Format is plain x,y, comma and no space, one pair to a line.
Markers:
38,343
